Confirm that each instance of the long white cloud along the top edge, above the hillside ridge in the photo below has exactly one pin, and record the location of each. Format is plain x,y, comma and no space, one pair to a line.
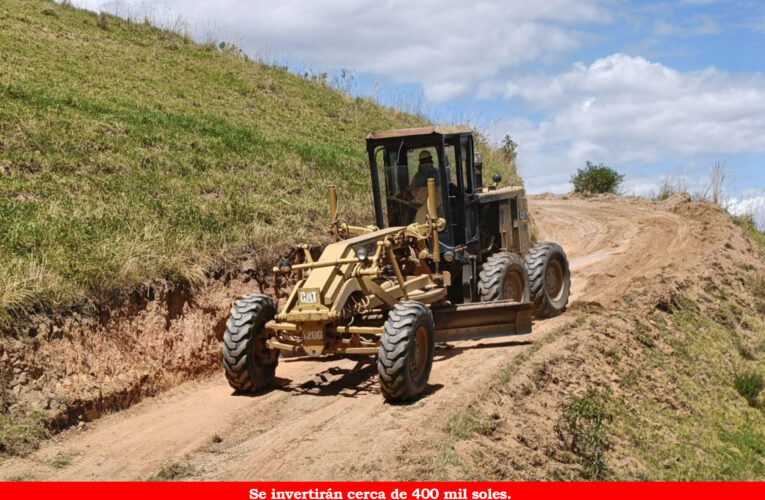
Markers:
448,46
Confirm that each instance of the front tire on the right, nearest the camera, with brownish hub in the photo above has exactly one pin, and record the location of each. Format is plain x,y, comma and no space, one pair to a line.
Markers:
406,351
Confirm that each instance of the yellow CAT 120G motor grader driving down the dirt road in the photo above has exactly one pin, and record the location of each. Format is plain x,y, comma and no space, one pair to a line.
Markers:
447,259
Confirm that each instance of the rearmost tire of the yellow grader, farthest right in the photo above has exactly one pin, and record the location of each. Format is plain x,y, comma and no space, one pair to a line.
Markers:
550,279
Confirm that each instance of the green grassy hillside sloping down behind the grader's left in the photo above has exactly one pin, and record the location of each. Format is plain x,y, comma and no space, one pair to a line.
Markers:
129,154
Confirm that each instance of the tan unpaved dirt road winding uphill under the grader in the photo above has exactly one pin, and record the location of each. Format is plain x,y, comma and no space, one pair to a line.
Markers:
326,419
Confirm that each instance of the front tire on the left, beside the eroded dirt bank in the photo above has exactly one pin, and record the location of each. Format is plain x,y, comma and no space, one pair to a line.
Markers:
249,364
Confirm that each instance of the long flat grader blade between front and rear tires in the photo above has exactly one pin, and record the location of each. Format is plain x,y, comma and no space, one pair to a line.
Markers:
482,320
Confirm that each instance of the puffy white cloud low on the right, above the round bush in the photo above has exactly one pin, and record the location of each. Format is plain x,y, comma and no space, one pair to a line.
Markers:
627,112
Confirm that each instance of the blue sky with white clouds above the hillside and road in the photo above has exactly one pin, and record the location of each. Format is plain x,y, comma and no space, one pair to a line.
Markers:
656,90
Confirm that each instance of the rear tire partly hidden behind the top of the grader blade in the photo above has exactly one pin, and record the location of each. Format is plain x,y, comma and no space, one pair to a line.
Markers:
504,277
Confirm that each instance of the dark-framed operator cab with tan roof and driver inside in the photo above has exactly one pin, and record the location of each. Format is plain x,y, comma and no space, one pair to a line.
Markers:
404,159
